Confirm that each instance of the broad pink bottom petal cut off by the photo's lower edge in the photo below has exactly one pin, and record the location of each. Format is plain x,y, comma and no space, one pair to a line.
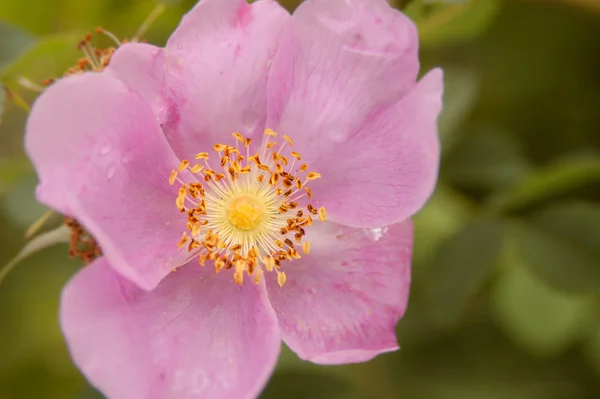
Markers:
197,335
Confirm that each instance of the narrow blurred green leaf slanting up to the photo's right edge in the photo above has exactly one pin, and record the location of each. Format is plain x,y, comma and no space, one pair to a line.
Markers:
541,184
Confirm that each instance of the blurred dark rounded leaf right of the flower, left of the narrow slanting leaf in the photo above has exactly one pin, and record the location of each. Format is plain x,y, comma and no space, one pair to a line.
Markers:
486,158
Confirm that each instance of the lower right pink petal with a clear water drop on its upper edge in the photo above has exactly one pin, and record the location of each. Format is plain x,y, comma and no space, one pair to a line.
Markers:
341,303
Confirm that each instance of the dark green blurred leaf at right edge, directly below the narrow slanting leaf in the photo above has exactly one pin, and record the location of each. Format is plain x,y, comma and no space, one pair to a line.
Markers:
560,245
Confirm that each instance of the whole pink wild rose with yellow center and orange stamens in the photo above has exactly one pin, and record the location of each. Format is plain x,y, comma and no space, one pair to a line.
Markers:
339,79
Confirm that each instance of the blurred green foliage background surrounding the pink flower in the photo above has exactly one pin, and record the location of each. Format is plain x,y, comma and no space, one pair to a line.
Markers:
505,301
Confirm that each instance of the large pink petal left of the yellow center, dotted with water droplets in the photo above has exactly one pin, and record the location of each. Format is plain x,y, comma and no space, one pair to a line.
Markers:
102,159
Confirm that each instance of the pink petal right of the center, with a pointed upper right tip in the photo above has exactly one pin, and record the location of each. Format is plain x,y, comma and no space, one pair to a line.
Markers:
388,169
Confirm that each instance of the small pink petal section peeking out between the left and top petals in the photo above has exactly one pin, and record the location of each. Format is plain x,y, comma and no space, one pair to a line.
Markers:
141,67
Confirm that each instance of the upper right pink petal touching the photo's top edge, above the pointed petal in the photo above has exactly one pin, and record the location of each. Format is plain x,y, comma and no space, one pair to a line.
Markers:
337,62
